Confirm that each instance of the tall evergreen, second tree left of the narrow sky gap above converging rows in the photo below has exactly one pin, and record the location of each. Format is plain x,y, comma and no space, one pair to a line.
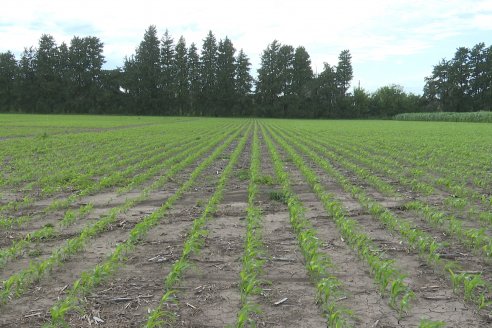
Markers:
226,69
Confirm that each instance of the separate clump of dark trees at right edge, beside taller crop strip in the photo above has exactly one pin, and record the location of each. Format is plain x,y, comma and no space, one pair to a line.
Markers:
462,84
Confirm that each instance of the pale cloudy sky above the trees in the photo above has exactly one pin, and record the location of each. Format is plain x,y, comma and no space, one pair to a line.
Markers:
391,41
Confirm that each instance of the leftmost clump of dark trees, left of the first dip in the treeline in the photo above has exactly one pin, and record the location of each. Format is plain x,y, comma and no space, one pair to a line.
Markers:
57,79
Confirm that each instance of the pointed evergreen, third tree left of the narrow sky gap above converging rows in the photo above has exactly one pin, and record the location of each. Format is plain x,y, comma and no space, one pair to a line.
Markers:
208,75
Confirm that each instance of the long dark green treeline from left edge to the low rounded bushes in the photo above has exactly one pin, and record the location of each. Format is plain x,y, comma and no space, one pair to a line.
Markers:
168,77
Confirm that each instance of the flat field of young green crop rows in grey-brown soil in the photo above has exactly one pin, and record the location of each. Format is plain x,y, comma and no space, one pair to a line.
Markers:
201,222
